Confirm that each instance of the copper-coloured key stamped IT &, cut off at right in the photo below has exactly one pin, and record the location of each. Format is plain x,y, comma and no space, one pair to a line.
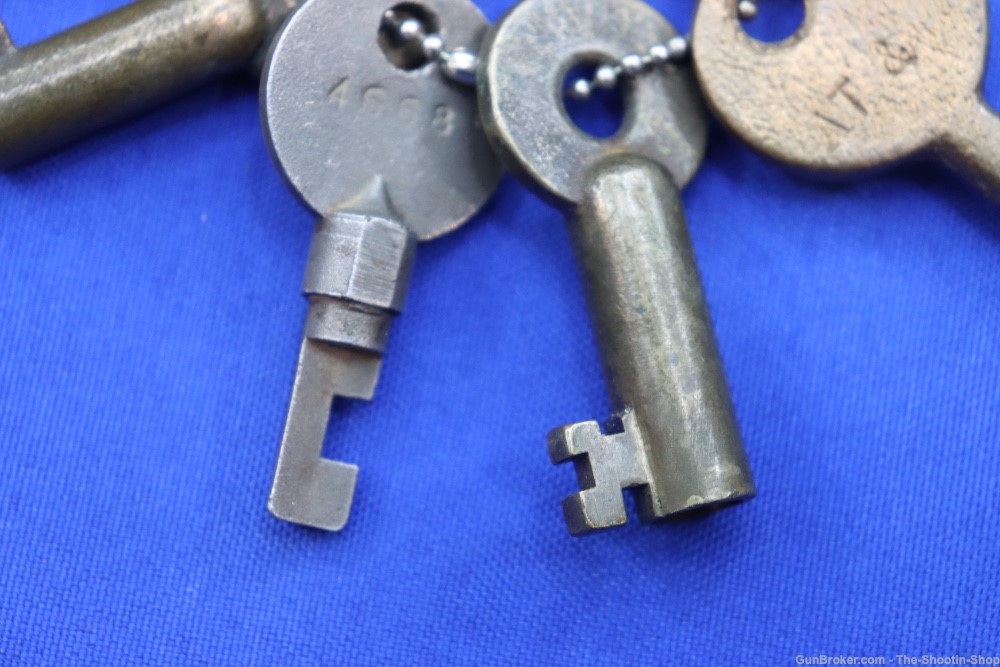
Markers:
863,84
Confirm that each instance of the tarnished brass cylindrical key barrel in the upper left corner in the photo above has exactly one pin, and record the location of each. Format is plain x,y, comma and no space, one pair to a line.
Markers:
120,64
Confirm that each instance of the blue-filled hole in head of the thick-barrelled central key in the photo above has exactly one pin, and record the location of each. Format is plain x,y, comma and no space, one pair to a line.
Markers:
600,114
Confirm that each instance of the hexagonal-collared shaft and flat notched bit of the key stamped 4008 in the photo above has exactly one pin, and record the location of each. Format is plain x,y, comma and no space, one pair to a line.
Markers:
346,332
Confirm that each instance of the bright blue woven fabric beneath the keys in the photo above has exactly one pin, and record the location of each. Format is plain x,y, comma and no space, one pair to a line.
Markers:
150,317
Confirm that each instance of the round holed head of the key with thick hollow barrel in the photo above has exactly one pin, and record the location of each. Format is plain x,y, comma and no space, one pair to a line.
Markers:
521,80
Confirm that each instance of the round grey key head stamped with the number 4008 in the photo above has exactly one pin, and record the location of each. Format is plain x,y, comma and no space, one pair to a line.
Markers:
345,103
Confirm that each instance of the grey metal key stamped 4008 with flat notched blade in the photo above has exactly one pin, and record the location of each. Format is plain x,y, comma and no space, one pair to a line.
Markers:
387,151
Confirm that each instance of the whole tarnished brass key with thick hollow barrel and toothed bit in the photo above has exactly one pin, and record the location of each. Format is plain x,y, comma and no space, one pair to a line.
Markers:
674,435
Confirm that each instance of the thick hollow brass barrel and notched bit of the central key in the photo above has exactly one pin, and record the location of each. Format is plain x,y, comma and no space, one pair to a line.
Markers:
675,435
